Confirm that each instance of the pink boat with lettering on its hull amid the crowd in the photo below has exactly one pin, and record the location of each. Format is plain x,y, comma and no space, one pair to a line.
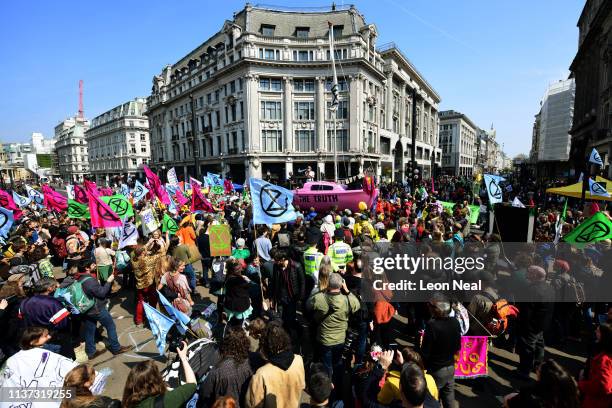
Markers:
323,195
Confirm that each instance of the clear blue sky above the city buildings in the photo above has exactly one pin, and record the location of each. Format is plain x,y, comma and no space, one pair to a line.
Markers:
491,60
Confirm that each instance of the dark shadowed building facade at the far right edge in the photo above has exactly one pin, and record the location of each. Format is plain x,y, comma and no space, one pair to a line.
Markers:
592,71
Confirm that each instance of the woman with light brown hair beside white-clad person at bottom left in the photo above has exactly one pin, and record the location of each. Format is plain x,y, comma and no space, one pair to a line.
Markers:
78,383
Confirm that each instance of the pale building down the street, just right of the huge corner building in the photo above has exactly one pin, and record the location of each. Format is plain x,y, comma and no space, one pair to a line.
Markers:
458,143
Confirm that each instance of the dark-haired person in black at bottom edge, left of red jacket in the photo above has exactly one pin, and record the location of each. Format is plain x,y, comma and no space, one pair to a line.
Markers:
554,388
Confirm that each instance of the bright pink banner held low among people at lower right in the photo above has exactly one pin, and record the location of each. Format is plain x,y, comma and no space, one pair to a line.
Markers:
471,359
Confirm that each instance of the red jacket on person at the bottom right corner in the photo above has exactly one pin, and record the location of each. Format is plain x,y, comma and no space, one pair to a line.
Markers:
597,390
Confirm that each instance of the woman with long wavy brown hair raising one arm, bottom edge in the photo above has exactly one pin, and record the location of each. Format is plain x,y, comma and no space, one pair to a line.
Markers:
145,385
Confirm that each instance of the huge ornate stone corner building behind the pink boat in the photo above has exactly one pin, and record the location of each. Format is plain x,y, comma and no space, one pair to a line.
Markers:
258,95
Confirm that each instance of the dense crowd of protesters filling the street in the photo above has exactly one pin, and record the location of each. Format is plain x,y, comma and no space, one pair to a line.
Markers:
297,324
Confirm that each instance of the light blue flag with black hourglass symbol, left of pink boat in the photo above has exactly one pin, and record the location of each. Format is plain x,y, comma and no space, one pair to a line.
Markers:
271,204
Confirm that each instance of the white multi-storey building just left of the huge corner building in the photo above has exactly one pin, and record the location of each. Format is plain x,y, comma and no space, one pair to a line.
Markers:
118,142
